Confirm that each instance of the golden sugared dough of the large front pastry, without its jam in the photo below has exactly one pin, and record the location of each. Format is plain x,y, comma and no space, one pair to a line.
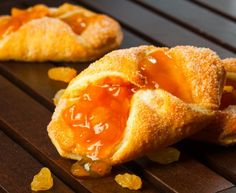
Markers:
157,118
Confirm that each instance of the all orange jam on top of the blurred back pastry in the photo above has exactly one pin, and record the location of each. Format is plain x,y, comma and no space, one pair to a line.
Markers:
77,21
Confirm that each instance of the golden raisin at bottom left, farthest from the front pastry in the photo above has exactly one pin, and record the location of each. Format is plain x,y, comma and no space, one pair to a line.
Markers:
42,181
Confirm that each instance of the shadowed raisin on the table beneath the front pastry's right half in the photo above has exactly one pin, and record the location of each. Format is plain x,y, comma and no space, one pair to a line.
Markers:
165,156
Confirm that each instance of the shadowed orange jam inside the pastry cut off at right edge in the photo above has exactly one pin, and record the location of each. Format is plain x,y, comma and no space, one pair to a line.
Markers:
229,97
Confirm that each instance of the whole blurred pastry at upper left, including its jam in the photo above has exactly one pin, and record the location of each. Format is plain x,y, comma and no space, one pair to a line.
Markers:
66,33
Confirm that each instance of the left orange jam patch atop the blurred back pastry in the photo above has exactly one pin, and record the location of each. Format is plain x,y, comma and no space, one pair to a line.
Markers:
20,17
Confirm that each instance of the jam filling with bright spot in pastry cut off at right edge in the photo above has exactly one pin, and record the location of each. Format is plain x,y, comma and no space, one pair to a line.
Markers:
229,93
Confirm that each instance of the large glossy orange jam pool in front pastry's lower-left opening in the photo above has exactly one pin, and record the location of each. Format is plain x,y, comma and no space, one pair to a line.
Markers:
99,117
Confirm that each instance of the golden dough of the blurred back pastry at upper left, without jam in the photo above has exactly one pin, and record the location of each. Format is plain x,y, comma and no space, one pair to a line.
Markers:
51,39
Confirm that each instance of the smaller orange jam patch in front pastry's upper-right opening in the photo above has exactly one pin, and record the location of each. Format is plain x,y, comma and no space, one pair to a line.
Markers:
159,71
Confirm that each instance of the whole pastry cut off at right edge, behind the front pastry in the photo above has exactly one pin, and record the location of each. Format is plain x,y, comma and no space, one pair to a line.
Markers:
222,129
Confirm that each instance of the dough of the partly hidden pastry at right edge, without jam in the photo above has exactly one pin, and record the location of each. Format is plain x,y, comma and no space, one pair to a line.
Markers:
222,129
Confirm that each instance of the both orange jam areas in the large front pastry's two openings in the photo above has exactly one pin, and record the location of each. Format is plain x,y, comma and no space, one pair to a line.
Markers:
99,117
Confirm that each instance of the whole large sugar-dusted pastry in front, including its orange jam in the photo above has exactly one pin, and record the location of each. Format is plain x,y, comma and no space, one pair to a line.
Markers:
136,100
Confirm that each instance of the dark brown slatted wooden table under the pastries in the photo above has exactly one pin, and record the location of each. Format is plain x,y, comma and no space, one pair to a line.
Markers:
26,102
